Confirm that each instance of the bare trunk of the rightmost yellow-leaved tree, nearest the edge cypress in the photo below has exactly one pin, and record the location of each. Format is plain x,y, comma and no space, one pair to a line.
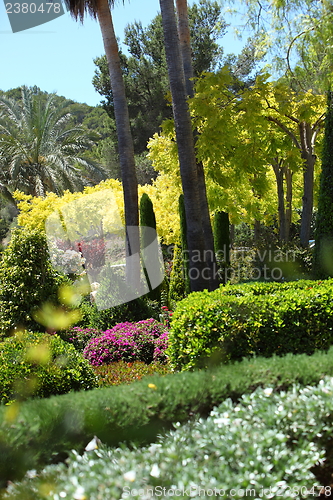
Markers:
308,176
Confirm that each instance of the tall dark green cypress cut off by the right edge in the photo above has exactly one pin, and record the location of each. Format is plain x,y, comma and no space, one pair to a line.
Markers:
323,261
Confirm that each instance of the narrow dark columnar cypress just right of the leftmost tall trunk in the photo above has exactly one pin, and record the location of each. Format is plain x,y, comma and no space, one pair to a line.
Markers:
147,237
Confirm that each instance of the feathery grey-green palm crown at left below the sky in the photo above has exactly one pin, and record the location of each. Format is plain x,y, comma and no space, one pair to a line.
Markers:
39,152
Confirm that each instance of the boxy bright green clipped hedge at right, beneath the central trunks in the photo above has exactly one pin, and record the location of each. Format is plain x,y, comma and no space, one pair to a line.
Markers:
253,319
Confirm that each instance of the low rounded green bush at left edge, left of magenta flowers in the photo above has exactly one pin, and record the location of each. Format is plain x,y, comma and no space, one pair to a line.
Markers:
41,365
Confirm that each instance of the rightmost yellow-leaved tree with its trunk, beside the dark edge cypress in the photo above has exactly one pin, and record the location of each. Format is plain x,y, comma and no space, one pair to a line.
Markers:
299,116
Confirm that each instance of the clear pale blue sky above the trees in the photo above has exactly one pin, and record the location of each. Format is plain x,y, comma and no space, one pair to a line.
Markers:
58,56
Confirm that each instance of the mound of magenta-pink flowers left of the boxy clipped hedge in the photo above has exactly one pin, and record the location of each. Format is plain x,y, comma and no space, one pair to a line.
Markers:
144,341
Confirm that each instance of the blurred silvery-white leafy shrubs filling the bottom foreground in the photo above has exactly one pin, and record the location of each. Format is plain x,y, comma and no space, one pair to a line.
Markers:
262,447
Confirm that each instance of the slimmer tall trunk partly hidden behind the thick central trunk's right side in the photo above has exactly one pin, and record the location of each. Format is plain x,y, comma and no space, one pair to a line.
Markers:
186,53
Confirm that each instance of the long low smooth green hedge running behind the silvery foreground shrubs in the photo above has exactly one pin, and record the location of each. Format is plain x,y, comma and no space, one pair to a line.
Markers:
42,431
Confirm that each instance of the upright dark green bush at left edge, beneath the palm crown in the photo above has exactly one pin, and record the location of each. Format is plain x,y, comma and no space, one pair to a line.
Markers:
27,280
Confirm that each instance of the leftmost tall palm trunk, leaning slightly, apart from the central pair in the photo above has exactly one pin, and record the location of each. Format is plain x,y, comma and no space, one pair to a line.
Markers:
125,144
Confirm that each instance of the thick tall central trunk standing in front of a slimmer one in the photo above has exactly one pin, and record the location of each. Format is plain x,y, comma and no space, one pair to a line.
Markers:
185,143
